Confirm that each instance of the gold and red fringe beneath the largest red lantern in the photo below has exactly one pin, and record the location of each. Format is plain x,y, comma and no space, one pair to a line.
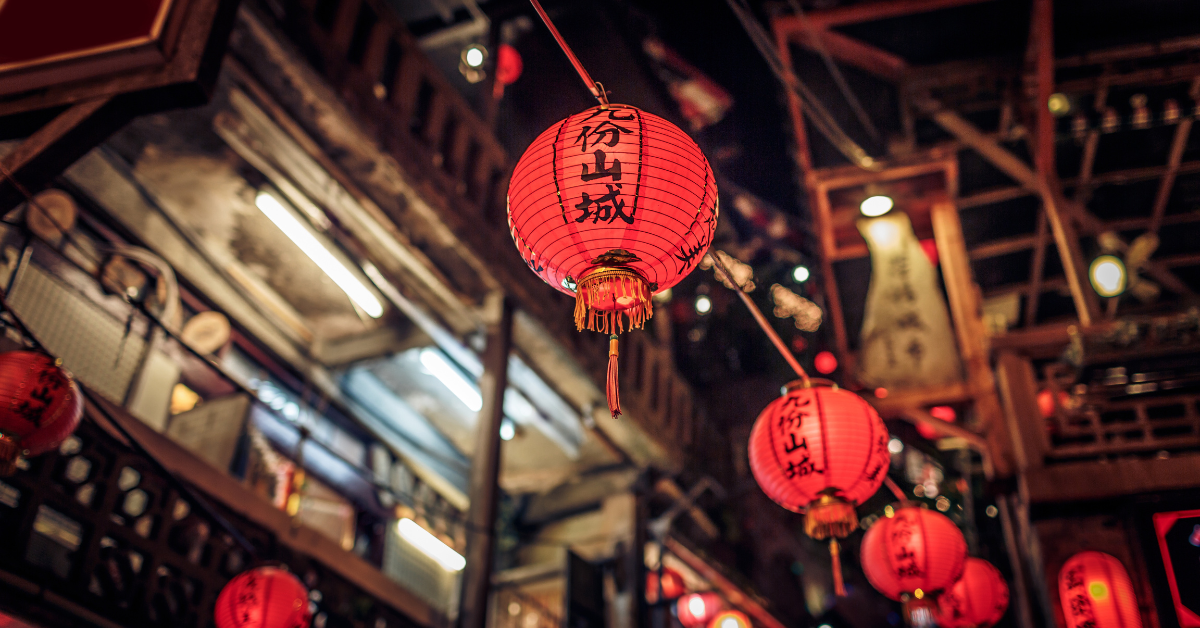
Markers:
608,285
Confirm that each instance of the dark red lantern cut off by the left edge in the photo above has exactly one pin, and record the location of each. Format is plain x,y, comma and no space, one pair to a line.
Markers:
40,406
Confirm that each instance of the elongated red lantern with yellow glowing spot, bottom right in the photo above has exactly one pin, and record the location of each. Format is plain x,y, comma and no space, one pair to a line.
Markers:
1096,593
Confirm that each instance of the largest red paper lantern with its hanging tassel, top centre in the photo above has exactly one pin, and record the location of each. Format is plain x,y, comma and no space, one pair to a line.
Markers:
613,206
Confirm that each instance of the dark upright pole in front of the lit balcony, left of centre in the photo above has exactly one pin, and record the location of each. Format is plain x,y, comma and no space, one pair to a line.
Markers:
485,470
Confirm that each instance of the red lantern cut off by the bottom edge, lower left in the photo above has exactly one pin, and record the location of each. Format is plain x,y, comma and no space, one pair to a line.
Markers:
266,597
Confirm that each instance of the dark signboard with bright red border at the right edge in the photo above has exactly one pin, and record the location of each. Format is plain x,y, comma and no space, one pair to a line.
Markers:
1179,541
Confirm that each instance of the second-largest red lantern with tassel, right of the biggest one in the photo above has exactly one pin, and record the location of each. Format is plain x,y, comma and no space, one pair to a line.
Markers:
820,451
